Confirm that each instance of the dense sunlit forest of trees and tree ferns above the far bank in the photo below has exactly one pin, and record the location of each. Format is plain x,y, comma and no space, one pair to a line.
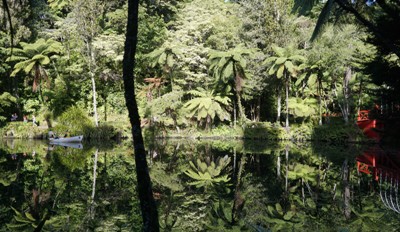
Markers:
200,64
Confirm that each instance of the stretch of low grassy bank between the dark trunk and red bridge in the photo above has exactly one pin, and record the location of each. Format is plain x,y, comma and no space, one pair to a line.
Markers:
267,131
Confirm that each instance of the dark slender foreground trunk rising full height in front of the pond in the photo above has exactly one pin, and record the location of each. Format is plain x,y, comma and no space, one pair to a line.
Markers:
147,203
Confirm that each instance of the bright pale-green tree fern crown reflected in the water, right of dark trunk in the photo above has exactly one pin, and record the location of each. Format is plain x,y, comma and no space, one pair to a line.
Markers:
208,175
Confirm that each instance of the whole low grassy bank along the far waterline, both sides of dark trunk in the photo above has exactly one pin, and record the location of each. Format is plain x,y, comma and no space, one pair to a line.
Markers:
255,131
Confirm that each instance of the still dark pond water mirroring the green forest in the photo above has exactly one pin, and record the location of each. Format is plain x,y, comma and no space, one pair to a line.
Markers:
199,185
